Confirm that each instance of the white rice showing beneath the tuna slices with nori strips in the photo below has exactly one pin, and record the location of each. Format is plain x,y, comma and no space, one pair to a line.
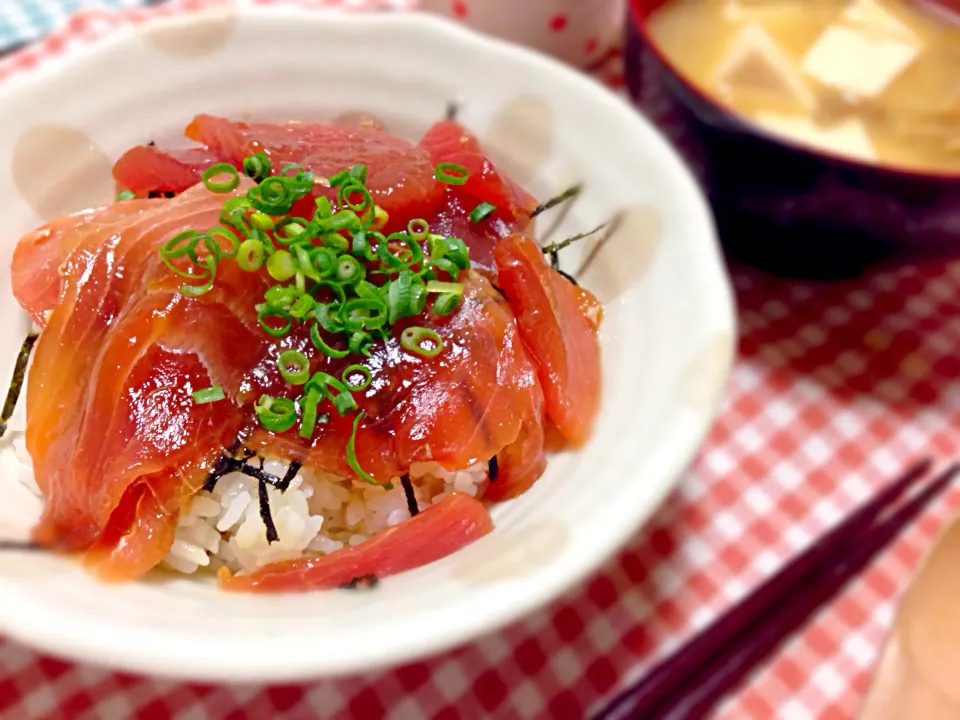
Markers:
318,513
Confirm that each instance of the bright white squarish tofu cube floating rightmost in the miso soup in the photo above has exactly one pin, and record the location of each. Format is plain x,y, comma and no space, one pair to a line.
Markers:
852,62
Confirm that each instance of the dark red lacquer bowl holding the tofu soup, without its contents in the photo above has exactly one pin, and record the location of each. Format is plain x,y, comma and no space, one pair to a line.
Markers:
786,208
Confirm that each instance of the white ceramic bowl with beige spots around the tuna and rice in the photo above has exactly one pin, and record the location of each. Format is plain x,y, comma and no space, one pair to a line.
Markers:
667,339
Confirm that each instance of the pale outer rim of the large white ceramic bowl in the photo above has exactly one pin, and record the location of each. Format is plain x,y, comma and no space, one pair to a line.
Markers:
89,644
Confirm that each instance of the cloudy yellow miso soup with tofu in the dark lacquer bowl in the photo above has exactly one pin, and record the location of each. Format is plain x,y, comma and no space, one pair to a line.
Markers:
874,80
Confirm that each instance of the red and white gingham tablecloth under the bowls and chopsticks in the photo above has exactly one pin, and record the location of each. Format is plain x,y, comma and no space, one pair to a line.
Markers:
837,388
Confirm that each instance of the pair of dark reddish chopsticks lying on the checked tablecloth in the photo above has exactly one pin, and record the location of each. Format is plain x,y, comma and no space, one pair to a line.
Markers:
736,641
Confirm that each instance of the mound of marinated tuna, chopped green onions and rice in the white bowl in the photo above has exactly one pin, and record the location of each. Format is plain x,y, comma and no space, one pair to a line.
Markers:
314,355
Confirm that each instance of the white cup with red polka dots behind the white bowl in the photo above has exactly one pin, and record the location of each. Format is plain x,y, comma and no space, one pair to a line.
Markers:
576,31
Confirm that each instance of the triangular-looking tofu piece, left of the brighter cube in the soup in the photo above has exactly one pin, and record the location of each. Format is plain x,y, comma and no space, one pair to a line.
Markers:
756,63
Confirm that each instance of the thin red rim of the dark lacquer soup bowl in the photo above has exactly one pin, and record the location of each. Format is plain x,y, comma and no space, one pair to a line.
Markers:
637,17
